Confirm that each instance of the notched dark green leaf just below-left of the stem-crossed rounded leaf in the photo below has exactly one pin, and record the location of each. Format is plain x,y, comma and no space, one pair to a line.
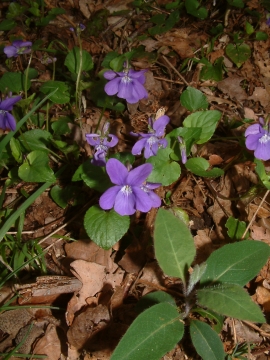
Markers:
60,96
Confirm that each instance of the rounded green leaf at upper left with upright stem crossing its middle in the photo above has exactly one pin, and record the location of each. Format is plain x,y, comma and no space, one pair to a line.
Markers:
72,61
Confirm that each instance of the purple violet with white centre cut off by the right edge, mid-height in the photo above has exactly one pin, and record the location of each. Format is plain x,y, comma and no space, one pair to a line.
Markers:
258,139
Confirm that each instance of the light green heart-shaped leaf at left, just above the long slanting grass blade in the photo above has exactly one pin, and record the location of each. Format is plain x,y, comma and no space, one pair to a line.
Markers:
36,168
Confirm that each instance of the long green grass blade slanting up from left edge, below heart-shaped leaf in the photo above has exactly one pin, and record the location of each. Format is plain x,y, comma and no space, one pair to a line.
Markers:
13,217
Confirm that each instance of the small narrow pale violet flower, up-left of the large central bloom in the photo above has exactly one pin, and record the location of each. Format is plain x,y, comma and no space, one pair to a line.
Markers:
101,145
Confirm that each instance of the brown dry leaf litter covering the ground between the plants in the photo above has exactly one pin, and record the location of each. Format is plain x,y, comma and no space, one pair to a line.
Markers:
97,288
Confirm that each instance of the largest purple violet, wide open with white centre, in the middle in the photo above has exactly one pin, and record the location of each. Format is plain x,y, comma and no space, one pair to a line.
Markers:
127,195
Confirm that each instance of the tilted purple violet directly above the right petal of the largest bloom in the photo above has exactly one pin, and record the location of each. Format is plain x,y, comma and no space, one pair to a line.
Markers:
152,141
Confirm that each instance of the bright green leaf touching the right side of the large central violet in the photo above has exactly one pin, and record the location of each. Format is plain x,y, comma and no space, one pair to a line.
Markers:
165,171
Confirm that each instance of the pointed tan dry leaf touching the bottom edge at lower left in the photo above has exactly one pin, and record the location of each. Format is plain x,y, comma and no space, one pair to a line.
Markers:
49,344
